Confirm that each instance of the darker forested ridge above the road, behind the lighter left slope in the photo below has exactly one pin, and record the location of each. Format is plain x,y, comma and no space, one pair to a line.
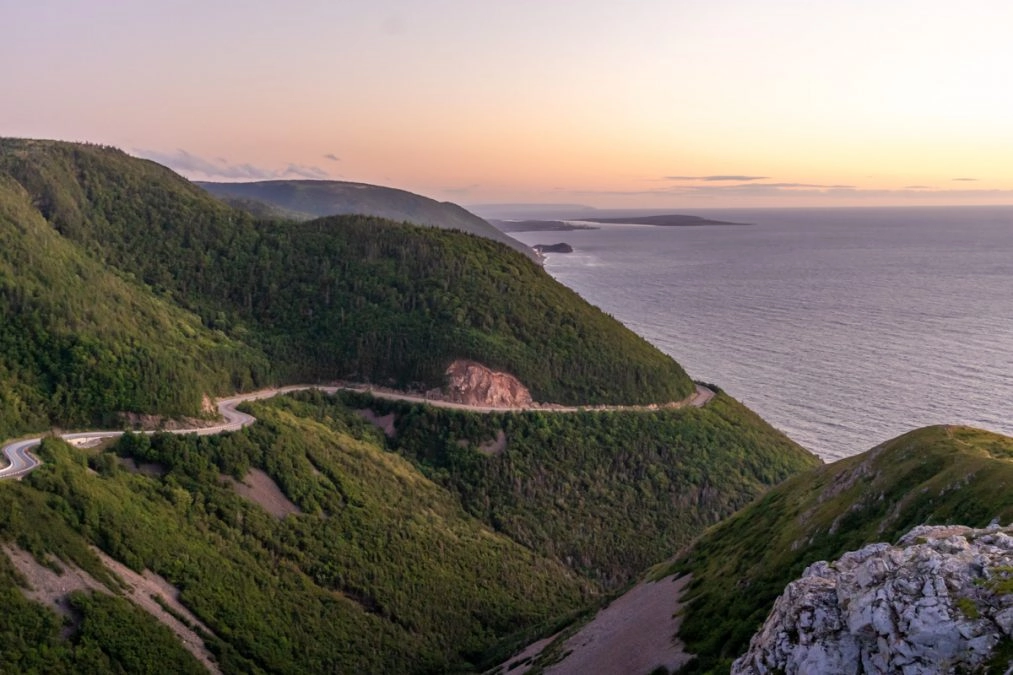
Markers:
348,297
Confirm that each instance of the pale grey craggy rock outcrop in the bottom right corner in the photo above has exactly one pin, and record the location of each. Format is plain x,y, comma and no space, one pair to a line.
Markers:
938,603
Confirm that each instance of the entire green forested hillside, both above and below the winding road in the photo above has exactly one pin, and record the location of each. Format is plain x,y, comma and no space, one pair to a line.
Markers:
125,288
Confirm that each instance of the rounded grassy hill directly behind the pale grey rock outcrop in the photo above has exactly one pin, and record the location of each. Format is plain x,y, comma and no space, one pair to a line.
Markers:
938,475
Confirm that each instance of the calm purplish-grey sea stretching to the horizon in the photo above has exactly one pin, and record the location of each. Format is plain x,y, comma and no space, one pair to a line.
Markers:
843,328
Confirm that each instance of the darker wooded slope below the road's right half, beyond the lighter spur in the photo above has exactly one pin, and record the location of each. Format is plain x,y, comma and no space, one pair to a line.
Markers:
609,494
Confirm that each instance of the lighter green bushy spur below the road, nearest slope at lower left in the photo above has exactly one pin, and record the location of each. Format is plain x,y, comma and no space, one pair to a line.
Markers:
382,572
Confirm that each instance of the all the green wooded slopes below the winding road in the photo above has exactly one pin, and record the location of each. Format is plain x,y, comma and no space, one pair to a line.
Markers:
437,558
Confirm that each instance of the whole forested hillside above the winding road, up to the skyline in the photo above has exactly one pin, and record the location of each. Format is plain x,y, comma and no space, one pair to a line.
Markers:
114,266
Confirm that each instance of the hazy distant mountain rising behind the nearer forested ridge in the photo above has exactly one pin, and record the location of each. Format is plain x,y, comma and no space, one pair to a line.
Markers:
306,200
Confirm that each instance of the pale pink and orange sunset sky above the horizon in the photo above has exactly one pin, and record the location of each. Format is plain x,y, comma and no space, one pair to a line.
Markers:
647,104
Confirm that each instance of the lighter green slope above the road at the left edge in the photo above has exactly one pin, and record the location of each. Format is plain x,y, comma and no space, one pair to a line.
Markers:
74,336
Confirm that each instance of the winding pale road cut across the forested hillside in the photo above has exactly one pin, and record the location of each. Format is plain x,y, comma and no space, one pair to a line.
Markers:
22,462
